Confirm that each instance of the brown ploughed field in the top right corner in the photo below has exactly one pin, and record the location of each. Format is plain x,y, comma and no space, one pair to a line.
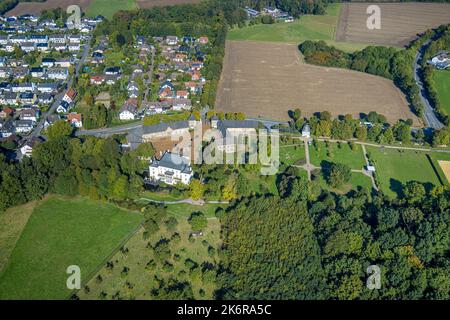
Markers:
400,22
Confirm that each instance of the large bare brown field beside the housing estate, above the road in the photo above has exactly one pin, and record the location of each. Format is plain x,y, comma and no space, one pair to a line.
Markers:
268,79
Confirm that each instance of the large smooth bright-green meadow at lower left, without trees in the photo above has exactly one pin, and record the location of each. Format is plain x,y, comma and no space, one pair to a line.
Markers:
63,232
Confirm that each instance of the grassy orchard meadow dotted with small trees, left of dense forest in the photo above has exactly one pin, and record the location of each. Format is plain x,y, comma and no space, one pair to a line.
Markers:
139,280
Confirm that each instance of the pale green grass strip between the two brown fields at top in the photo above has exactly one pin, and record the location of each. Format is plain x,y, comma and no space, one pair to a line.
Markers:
308,27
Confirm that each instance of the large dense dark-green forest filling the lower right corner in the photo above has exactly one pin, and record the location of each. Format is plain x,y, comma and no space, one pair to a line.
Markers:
318,245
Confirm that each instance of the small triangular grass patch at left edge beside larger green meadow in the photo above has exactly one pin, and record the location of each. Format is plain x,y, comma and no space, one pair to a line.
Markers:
12,222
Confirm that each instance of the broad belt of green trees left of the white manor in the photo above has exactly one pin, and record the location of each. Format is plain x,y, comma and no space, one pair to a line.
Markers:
88,166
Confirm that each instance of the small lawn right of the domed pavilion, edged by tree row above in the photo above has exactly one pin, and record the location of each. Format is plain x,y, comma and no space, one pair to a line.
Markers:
353,158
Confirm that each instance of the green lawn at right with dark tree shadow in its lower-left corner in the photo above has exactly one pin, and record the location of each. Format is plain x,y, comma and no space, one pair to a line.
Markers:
395,167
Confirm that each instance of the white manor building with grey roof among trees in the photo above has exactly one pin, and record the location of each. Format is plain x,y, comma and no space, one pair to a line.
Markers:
171,169
